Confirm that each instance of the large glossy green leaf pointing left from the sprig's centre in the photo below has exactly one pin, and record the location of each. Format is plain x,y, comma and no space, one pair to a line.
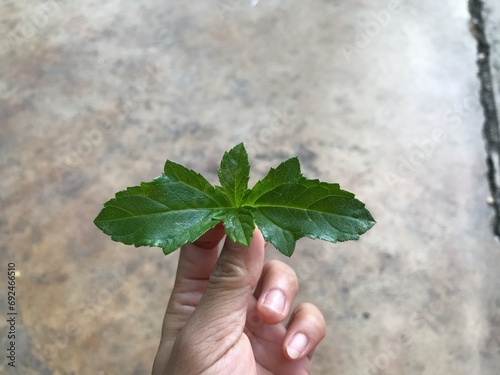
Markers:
173,209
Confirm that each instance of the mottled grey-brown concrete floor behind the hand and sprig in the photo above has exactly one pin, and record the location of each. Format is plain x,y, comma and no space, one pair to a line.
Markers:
380,96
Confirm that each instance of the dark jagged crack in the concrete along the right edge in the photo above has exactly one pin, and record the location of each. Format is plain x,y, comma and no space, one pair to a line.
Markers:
491,131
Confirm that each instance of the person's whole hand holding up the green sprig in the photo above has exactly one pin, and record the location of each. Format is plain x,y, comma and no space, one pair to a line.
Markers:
217,320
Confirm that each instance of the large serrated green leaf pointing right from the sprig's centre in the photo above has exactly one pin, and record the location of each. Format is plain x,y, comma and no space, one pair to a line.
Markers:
287,206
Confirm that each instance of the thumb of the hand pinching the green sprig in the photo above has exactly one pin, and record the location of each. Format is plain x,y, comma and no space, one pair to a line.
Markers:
221,313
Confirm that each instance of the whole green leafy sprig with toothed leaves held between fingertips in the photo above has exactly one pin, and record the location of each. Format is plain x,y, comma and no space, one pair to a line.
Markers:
181,205
